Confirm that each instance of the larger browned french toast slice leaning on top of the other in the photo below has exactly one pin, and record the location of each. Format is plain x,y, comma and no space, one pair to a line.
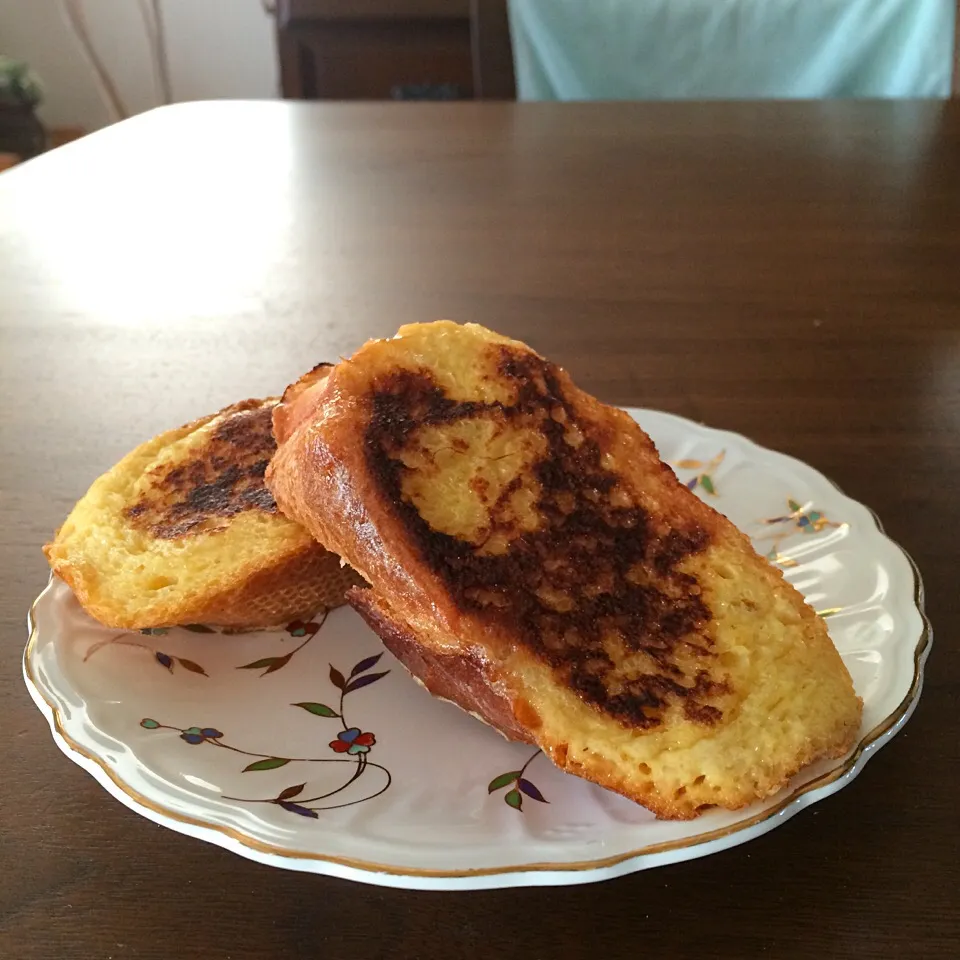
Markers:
532,559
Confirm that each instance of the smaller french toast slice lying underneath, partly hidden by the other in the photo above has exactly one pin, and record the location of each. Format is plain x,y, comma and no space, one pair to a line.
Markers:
183,530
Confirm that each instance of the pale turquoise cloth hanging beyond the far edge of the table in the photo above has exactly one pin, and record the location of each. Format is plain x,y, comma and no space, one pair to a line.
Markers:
731,49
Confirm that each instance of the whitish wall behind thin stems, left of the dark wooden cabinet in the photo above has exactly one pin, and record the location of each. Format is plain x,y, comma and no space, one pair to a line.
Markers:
216,48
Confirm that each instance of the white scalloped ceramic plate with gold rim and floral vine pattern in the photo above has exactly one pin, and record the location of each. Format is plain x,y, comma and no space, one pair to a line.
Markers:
245,741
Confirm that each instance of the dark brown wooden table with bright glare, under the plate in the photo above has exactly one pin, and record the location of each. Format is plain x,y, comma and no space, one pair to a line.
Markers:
788,271
